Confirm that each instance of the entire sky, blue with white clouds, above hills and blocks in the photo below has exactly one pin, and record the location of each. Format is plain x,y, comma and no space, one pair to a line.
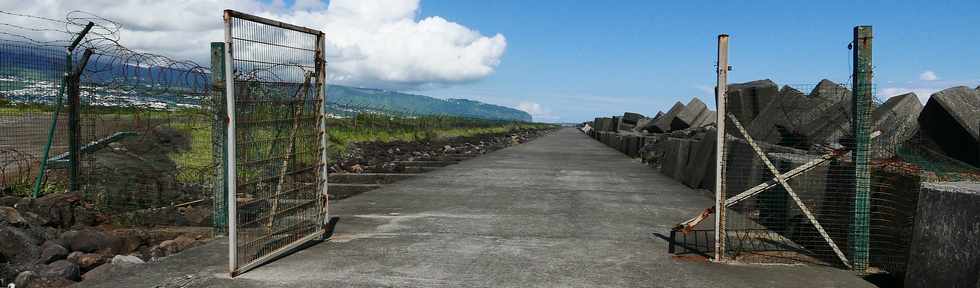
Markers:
571,61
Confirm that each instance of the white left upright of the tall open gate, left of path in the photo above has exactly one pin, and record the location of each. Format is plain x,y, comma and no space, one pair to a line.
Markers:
230,158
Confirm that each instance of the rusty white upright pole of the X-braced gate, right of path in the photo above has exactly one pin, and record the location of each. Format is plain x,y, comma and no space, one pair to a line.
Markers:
720,196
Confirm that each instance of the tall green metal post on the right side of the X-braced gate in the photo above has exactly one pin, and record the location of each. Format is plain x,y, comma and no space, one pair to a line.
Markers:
861,126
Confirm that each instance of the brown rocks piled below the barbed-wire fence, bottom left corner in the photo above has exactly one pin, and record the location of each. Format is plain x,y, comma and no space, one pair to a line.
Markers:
58,239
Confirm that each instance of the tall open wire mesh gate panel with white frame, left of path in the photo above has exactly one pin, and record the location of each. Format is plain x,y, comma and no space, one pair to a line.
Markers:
276,149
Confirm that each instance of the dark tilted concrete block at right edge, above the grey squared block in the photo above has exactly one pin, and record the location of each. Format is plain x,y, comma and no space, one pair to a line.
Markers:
952,120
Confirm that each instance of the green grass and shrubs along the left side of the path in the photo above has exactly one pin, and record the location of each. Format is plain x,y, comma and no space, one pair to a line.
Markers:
196,163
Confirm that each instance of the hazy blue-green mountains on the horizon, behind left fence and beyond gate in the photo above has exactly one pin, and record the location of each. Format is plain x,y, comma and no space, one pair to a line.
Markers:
25,67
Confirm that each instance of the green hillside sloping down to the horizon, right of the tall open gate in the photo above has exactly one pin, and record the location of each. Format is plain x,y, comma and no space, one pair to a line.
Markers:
376,99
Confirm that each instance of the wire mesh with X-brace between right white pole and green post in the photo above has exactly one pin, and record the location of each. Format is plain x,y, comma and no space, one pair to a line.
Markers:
809,220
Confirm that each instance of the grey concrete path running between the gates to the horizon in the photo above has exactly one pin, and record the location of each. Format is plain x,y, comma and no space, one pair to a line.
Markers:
560,211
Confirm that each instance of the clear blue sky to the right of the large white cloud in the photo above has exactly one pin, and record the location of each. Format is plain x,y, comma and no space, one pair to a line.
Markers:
581,59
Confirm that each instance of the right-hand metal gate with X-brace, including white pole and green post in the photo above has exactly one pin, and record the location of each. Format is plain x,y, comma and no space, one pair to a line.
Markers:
794,175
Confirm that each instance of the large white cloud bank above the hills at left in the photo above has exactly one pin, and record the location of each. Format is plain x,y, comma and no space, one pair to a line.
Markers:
379,43
